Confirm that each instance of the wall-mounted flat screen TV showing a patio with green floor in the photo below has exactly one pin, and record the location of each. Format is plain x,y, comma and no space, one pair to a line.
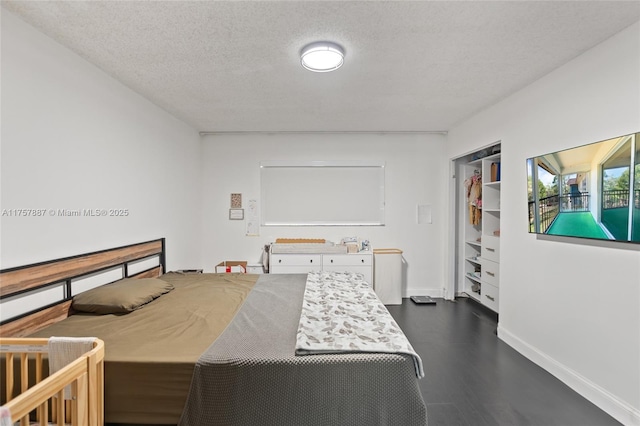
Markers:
591,191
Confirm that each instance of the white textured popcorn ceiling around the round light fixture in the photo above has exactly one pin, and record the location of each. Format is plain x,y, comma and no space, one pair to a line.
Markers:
410,65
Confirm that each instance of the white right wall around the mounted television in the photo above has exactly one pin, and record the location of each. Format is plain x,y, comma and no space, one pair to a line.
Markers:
570,305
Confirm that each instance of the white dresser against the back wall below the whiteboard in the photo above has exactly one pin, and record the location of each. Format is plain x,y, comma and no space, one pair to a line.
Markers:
302,263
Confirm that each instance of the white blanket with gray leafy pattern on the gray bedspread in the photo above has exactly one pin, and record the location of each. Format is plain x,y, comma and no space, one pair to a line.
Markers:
341,313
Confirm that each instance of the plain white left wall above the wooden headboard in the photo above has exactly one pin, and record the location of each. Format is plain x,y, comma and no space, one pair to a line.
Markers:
75,138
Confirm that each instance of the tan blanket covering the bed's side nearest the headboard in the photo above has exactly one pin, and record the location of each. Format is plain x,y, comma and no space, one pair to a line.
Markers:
150,353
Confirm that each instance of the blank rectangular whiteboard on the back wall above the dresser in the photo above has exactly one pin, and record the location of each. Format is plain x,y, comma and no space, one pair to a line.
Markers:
321,193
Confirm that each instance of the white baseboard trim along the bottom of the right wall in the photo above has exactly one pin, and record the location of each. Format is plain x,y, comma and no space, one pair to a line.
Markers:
609,403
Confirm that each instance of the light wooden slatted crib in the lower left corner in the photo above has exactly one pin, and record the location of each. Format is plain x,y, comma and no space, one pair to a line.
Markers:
29,393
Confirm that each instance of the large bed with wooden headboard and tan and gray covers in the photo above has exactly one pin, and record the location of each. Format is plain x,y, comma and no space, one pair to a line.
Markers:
219,349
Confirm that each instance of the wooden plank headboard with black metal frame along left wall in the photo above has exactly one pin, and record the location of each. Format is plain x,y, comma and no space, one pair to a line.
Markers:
22,281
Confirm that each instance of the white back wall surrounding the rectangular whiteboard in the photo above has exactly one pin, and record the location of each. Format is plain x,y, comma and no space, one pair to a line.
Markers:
415,174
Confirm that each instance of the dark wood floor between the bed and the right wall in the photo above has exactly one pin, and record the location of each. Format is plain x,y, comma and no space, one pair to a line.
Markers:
473,378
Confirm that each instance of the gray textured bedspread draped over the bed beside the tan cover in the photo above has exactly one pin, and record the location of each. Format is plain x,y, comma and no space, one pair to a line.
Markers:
251,375
